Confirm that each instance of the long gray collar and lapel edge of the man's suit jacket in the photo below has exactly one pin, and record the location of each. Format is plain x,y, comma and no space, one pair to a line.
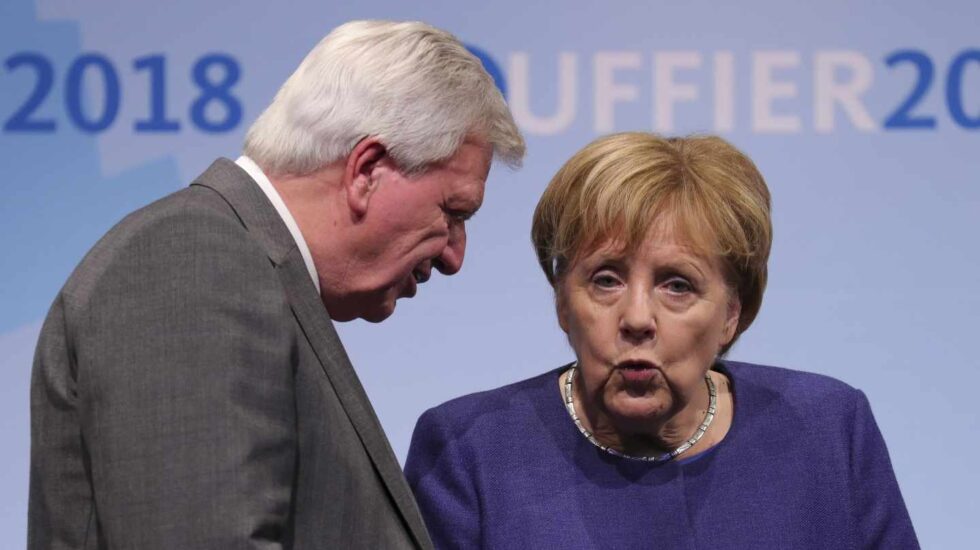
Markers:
261,219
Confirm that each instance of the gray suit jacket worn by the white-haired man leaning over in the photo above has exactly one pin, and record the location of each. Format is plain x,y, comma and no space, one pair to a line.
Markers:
189,391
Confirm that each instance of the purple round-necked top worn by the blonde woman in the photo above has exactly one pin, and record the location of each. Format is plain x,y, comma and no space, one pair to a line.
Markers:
803,466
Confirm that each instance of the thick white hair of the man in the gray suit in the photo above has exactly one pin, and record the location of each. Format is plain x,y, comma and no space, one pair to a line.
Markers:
414,87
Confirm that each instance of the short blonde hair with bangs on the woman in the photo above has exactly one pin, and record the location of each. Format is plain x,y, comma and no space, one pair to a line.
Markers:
618,185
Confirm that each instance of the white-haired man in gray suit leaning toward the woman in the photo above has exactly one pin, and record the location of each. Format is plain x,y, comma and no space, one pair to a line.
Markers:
189,390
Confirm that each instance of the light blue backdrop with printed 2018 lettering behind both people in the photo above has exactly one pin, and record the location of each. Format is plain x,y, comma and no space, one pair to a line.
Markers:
863,117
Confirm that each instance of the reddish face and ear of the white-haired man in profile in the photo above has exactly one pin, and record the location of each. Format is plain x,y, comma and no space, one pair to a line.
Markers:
407,226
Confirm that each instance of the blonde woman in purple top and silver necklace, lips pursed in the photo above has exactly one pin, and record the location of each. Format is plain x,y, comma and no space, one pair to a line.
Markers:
656,250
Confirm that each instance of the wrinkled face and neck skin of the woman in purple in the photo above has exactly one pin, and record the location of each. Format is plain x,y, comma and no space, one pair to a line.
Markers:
646,327
